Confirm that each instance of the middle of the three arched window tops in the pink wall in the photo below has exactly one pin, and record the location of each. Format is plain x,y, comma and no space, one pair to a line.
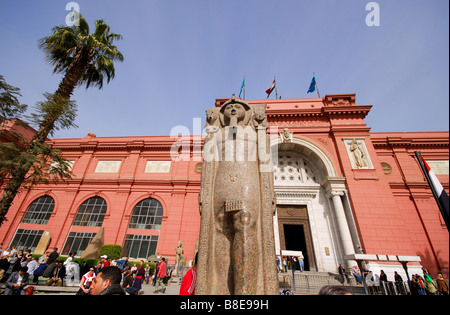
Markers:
91,212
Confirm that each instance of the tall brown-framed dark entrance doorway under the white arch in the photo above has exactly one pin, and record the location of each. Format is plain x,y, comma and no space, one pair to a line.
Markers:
295,233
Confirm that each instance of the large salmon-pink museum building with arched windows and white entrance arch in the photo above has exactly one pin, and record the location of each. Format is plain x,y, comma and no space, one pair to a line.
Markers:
340,188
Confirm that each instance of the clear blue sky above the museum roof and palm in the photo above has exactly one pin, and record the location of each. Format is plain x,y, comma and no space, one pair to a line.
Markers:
180,55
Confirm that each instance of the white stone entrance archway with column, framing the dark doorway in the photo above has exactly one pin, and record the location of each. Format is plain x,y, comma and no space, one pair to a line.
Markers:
304,177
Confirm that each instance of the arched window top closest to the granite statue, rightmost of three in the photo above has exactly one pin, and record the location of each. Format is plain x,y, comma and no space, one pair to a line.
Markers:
147,214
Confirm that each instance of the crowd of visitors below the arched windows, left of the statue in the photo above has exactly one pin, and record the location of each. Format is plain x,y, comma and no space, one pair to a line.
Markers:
19,271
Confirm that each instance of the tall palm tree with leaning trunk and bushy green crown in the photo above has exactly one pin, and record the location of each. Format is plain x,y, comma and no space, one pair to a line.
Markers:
84,59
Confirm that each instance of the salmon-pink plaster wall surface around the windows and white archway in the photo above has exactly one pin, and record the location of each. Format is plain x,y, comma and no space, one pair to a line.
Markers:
395,213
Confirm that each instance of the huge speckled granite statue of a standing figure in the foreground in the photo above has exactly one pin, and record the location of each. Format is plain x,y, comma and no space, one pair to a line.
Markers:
236,252
